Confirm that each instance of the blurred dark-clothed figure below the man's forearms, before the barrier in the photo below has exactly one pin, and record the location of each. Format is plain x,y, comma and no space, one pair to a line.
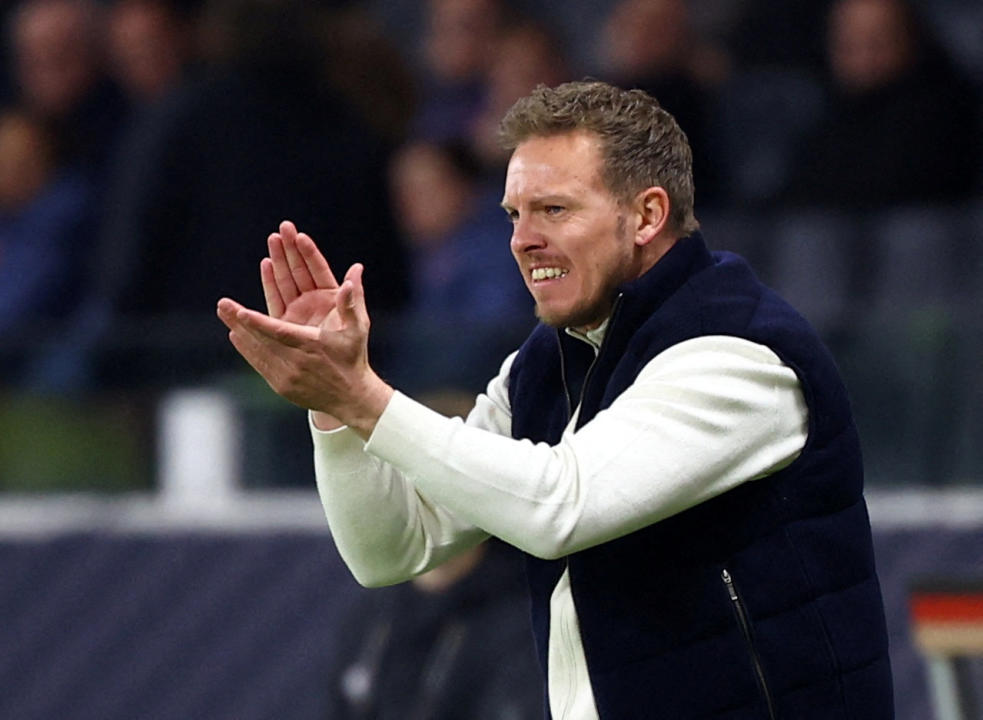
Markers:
452,644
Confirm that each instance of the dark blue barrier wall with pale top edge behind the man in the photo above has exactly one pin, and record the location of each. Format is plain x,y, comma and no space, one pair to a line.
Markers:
137,608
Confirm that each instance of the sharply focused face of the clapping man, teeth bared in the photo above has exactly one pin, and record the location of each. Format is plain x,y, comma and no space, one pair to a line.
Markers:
570,235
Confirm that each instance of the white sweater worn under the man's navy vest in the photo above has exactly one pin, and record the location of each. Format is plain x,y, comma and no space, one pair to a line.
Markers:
701,418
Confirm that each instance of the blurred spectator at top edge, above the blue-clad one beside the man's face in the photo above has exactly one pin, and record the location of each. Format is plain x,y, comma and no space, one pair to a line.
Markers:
458,48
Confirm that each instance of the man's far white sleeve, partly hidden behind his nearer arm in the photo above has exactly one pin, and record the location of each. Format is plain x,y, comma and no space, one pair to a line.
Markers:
384,528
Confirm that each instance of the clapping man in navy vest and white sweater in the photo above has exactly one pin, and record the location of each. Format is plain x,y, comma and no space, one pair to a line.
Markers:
672,446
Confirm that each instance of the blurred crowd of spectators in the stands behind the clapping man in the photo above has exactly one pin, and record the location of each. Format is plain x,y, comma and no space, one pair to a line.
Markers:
148,147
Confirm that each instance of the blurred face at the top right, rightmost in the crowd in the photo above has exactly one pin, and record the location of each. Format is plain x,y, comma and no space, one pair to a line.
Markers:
870,43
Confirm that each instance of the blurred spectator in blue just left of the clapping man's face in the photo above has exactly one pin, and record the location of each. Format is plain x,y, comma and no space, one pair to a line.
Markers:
465,293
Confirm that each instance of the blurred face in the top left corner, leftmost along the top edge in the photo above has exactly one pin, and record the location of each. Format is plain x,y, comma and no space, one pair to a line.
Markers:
54,57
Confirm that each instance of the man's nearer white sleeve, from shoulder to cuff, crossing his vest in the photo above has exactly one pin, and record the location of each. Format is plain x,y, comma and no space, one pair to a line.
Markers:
701,418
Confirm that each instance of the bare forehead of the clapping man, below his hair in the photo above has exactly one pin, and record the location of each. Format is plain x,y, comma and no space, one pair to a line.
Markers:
565,162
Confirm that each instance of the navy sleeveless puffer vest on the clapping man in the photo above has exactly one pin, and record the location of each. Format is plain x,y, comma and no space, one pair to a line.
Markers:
760,603
